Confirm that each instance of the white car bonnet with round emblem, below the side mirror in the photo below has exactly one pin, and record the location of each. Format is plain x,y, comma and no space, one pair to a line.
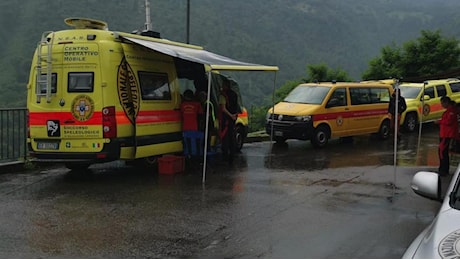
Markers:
439,240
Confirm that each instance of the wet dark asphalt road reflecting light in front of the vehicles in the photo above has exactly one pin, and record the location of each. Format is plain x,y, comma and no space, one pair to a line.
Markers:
289,201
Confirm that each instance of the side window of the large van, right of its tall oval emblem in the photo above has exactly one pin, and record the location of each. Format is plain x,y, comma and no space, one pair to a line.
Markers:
154,86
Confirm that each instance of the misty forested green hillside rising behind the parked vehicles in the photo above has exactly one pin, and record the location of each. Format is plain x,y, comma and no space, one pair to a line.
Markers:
343,34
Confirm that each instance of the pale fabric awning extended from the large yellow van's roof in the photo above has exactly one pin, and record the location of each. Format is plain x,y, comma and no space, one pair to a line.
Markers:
199,55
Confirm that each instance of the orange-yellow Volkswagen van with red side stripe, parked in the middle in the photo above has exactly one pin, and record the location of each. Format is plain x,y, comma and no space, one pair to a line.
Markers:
320,111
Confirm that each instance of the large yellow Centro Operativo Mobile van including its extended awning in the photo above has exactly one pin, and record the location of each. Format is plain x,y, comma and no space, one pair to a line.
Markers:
96,95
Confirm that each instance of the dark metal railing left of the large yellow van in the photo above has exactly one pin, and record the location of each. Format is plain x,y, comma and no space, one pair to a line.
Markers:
13,135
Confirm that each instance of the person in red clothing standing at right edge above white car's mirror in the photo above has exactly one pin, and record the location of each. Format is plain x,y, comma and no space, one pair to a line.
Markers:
448,130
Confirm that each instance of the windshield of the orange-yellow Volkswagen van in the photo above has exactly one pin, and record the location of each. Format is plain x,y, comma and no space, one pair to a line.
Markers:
307,95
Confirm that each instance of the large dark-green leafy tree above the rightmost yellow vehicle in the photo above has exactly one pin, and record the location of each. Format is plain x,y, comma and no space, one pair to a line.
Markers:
430,54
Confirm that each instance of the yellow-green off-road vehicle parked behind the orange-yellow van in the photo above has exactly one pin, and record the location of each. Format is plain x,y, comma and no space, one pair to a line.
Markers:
426,108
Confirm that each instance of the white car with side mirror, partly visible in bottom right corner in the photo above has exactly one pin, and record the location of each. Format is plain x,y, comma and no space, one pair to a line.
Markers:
441,239
